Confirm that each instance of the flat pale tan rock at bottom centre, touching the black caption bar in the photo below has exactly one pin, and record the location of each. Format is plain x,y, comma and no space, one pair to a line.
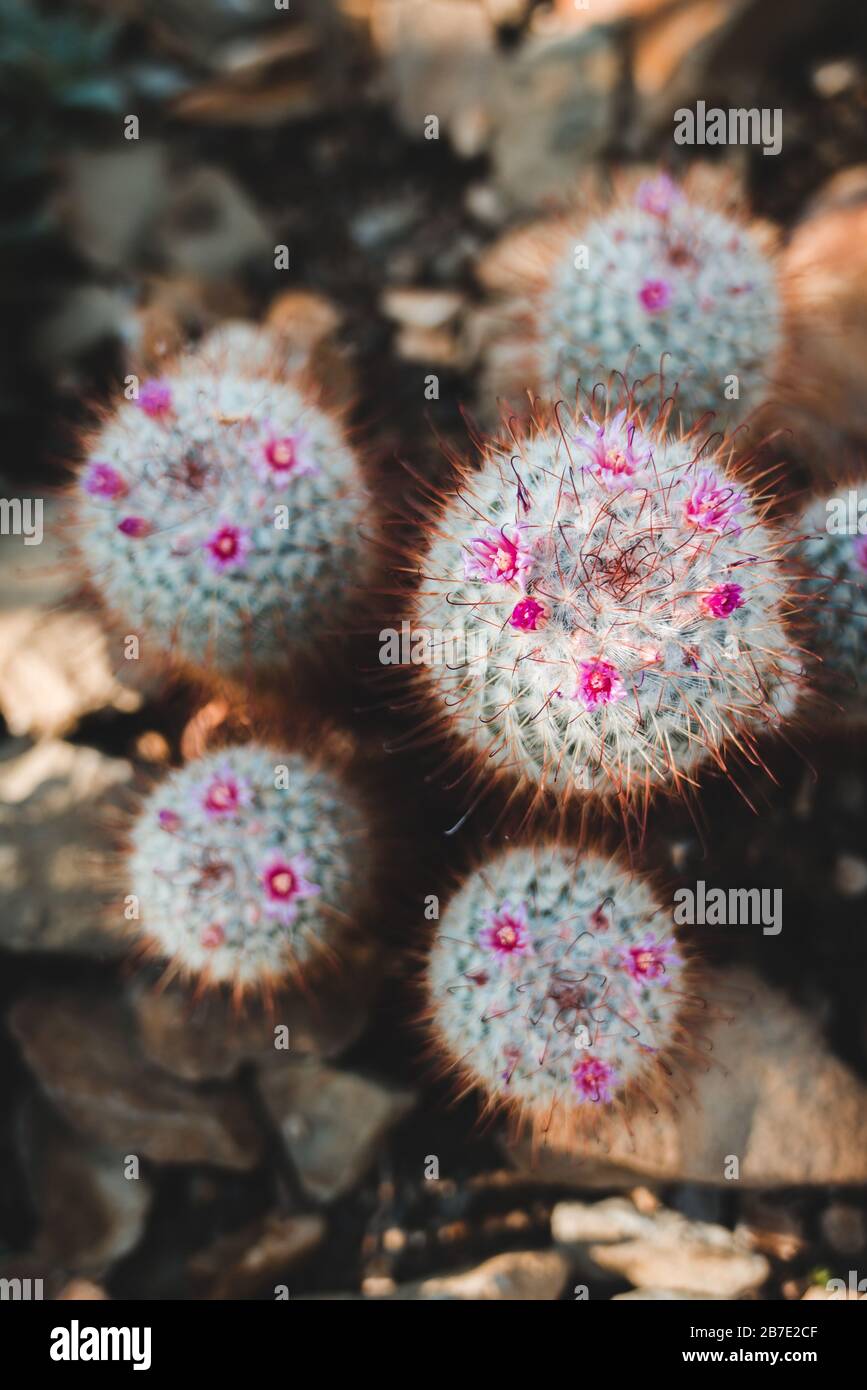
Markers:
519,1277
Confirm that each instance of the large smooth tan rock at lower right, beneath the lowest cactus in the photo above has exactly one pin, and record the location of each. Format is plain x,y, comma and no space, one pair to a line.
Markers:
769,1075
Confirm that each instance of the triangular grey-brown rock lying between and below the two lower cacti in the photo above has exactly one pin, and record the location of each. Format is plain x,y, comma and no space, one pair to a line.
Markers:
331,1122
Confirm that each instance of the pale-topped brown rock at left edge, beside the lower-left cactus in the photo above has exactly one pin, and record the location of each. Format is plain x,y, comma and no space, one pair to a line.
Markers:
55,853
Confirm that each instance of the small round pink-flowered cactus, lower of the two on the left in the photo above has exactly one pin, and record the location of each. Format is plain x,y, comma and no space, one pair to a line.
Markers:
249,867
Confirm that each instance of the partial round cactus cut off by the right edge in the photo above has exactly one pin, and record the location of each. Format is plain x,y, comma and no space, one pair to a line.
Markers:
834,557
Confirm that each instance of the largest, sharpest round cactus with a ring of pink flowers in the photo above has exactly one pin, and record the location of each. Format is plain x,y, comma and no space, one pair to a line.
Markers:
616,607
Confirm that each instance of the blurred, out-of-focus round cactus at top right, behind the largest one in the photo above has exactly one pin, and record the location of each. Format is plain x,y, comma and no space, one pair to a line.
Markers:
663,283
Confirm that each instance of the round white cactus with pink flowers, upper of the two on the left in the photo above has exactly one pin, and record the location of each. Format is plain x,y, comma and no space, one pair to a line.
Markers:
223,516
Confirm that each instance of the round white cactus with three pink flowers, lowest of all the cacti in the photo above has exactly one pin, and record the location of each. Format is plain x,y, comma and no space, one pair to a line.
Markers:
555,982
